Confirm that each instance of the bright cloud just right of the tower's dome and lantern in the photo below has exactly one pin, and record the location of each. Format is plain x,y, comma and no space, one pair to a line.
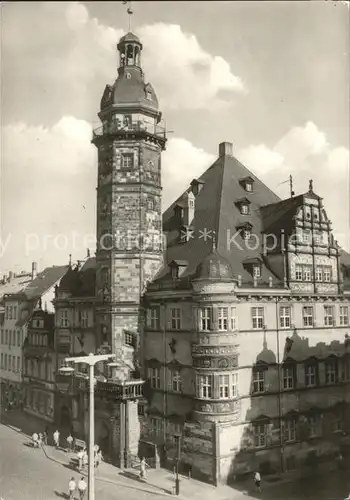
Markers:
184,74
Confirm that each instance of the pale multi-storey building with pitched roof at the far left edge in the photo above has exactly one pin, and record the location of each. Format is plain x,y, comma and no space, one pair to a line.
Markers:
20,296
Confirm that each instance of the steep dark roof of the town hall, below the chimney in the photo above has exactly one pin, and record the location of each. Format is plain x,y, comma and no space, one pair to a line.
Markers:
216,210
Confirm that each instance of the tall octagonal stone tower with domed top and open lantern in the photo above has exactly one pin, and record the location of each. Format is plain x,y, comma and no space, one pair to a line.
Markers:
129,219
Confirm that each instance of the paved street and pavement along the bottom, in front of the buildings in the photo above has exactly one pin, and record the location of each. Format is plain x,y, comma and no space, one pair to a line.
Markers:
36,474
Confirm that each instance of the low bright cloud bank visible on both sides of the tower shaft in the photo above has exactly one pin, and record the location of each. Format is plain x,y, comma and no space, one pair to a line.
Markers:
49,177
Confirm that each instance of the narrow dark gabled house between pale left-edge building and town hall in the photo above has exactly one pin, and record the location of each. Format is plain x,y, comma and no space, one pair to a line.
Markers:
39,365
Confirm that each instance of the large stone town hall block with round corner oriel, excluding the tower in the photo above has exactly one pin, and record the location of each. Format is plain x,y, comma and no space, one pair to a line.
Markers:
246,345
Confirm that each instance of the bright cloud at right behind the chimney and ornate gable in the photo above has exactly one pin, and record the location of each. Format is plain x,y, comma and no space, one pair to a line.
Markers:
305,153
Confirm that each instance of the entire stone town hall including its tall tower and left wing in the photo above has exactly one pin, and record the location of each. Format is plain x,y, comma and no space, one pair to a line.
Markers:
242,332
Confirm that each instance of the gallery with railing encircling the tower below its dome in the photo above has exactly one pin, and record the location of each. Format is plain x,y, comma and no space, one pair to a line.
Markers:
143,126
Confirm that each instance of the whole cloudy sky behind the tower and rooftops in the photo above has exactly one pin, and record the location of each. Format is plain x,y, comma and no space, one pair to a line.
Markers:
270,77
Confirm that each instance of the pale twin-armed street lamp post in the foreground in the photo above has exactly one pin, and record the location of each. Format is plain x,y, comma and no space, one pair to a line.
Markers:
90,360
